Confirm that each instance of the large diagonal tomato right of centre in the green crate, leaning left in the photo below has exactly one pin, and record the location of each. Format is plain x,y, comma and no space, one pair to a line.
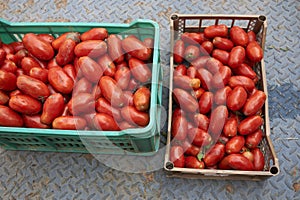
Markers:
111,91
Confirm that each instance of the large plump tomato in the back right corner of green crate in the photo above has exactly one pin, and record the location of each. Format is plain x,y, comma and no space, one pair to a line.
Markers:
136,48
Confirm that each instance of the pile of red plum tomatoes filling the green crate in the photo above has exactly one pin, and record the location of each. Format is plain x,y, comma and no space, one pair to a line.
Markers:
90,81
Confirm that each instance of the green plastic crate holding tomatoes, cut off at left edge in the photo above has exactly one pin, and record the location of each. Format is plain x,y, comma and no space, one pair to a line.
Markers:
139,141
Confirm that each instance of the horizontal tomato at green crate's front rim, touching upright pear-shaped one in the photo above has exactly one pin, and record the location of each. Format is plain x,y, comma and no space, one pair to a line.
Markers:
69,123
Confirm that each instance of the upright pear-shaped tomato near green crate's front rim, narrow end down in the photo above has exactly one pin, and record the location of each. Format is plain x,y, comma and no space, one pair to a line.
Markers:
53,107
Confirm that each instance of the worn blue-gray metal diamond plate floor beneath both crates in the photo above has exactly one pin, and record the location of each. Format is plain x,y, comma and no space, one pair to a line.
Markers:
36,175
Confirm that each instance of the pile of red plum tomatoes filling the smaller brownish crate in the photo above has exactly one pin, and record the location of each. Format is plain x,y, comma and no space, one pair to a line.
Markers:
217,120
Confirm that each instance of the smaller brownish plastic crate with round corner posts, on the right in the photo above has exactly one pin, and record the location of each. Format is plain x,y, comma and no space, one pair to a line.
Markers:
181,23
